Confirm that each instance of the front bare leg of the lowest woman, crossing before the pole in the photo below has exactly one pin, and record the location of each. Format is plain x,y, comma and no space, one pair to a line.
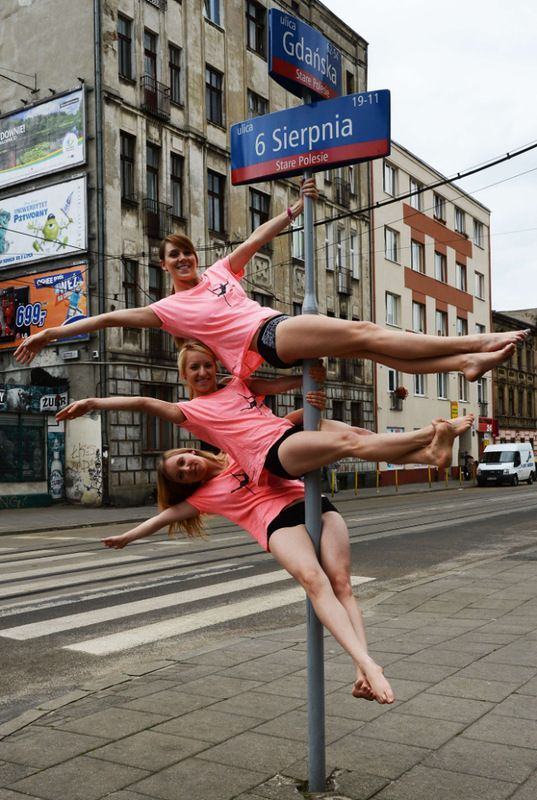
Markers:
293,549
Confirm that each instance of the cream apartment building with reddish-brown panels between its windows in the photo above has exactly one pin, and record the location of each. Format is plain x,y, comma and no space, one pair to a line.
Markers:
431,274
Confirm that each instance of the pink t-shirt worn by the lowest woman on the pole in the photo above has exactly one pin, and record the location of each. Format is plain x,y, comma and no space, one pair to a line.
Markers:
249,506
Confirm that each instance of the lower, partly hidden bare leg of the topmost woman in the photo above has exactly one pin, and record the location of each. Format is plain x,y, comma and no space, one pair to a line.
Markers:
473,365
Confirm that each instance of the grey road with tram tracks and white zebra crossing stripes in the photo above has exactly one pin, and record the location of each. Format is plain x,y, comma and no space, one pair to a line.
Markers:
71,611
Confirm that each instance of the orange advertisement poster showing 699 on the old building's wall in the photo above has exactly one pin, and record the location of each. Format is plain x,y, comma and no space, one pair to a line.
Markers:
47,300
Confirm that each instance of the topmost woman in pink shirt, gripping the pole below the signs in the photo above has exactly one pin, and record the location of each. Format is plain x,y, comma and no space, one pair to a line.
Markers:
214,308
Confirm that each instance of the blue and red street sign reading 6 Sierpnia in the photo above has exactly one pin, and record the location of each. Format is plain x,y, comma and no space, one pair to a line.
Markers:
317,136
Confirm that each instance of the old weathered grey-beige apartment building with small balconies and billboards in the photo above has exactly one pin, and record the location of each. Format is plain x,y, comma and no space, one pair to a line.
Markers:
161,83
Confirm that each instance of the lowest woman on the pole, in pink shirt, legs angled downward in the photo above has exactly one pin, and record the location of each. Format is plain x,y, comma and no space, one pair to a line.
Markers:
193,482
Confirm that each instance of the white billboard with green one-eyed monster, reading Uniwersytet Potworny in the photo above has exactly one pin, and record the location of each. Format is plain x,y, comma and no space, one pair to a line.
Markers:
45,223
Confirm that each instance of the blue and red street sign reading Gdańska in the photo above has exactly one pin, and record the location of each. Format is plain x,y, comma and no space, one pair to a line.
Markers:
301,58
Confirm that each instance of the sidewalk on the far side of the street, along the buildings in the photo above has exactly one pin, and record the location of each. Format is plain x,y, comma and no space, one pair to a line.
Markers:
65,516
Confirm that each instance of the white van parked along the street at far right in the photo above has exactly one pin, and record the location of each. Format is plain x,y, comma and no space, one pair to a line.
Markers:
506,463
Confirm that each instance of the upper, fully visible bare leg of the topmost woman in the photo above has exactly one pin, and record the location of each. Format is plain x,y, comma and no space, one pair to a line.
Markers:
310,336
